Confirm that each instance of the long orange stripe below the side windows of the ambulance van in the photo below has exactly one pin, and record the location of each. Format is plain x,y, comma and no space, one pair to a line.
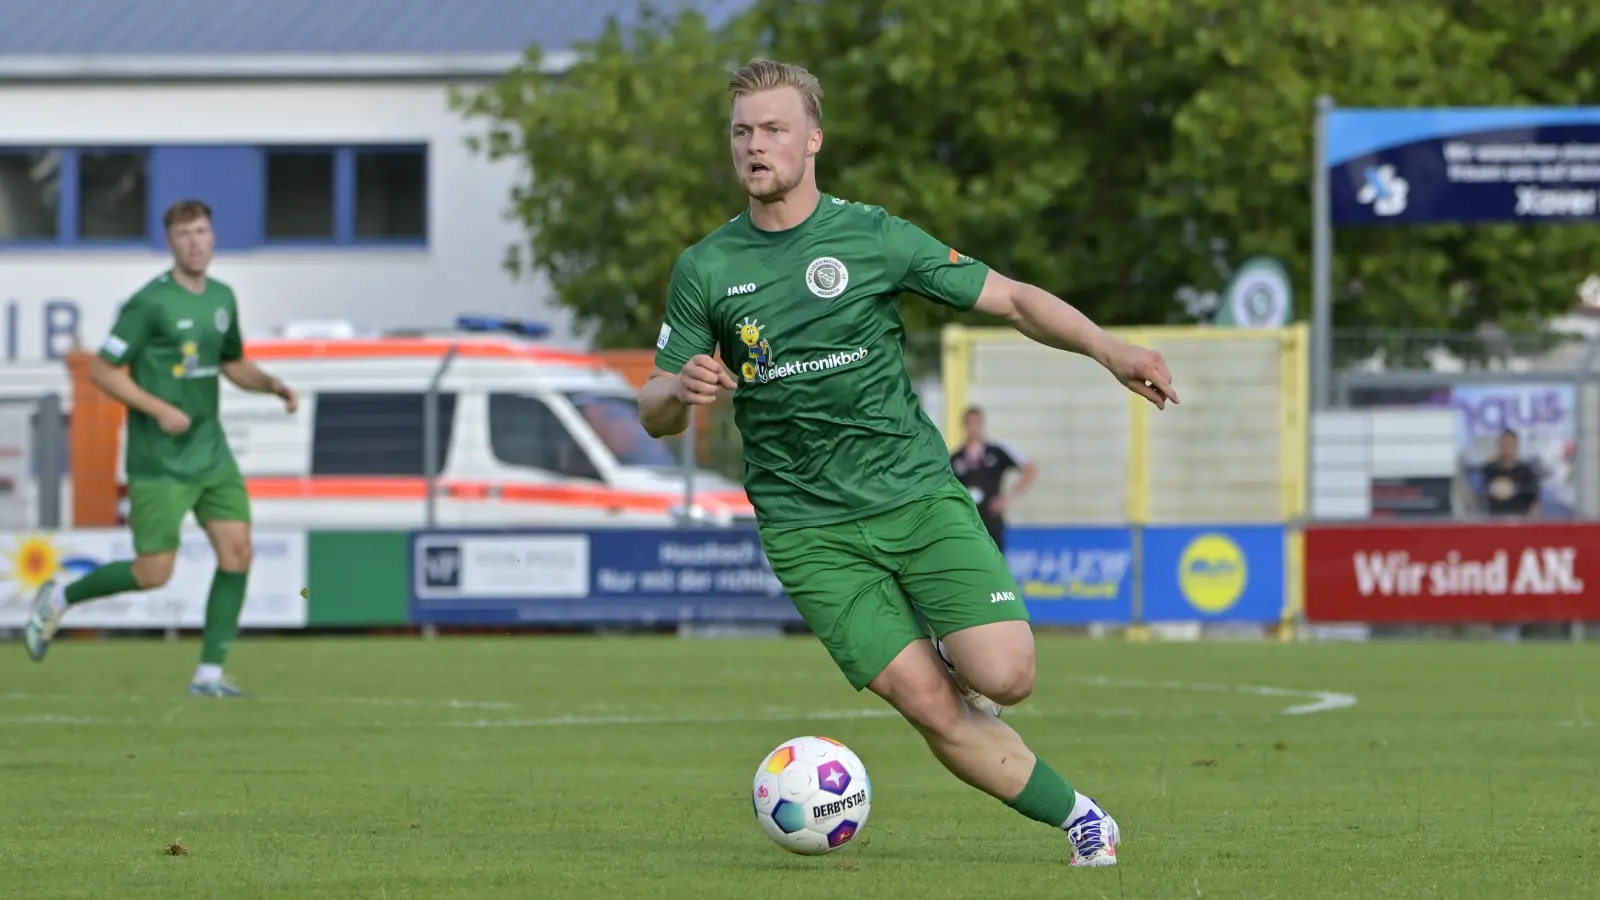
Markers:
359,489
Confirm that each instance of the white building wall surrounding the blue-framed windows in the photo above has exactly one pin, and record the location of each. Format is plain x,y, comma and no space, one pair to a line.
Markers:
460,271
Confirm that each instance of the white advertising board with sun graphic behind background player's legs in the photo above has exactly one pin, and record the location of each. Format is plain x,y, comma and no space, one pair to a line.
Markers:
273,598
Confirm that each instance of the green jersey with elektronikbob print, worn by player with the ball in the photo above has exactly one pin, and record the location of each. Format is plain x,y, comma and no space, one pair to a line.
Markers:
809,321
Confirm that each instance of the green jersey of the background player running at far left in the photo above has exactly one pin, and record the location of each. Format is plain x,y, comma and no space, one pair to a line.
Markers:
174,342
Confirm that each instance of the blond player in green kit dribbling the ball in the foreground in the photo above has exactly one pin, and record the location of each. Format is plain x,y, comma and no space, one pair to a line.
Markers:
858,508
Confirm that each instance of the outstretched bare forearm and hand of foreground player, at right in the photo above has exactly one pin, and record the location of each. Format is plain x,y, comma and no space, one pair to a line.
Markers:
1055,323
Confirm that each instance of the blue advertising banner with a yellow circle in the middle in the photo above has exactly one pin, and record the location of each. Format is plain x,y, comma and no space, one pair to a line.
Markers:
1214,573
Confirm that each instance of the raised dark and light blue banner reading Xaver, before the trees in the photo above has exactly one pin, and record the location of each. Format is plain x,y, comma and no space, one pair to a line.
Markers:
1463,166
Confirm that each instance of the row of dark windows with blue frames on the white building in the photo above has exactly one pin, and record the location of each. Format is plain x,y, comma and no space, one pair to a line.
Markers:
263,196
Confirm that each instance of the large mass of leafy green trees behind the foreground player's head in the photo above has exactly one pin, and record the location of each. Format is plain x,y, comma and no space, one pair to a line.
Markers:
1113,153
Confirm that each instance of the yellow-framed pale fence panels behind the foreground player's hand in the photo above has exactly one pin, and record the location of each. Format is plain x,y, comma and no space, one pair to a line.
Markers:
1233,454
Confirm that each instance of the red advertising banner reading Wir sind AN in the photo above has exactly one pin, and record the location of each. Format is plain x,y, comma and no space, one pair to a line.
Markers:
1454,574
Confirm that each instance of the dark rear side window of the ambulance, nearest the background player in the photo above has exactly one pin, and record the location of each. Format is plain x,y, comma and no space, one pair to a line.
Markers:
377,435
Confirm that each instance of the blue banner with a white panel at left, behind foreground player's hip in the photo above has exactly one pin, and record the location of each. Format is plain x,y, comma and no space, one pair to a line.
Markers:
604,576
